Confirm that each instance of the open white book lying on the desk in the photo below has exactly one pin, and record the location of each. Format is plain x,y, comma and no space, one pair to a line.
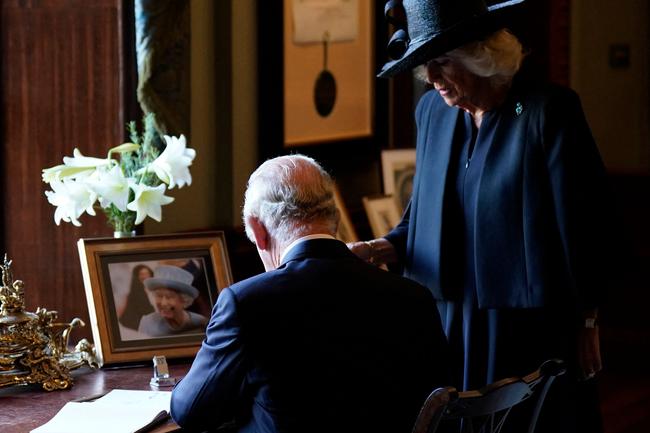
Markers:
119,411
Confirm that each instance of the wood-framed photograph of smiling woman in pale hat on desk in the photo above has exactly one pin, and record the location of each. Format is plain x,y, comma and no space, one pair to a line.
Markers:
152,295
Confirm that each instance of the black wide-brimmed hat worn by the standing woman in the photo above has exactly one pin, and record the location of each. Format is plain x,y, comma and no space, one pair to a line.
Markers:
434,27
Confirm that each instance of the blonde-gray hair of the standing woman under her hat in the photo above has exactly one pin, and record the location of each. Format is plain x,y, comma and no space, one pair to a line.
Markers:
498,57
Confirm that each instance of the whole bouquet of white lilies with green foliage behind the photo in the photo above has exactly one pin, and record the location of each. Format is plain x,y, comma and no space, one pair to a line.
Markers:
81,181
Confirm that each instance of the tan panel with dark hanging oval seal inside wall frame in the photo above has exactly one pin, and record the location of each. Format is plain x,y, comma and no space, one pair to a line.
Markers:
328,70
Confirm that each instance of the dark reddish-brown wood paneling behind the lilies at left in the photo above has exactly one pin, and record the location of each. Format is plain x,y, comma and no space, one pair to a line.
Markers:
62,69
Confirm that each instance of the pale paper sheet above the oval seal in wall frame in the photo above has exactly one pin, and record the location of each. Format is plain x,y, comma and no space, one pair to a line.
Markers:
313,19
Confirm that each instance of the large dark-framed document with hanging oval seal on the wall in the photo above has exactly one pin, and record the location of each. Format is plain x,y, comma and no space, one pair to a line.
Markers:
292,116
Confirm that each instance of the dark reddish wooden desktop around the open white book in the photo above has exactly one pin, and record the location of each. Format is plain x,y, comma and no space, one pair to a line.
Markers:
27,407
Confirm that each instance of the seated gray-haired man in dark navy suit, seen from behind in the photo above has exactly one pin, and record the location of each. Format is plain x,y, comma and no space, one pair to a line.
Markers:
322,341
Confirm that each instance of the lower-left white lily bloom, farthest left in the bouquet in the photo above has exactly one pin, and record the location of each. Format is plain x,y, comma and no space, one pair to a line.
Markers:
71,199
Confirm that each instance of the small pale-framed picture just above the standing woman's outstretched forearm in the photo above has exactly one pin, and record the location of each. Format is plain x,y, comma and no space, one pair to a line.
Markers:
398,169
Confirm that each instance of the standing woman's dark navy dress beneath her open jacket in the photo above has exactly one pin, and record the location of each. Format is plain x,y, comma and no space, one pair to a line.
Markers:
492,343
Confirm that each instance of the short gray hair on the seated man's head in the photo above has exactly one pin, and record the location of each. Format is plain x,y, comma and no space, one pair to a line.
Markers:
289,195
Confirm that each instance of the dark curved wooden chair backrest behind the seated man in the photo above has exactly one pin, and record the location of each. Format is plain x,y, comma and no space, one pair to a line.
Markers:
485,410
